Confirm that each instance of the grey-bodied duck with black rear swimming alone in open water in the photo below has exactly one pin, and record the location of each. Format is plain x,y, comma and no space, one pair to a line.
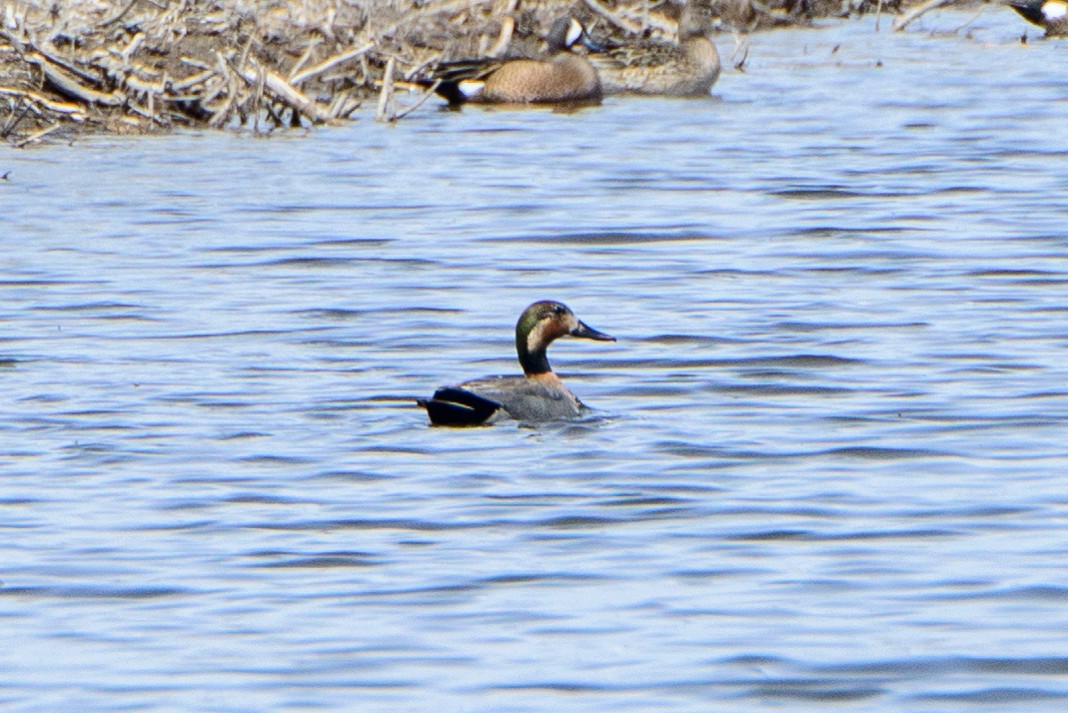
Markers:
538,395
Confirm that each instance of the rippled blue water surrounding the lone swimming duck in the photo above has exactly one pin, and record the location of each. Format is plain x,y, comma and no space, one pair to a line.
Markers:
827,465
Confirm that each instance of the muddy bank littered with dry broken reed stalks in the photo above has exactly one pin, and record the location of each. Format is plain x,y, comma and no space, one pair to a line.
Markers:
151,66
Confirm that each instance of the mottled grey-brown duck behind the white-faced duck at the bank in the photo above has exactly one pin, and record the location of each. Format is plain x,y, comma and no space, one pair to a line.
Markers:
688,68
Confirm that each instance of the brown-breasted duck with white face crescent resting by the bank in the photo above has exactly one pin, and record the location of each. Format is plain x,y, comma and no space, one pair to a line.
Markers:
563,76
